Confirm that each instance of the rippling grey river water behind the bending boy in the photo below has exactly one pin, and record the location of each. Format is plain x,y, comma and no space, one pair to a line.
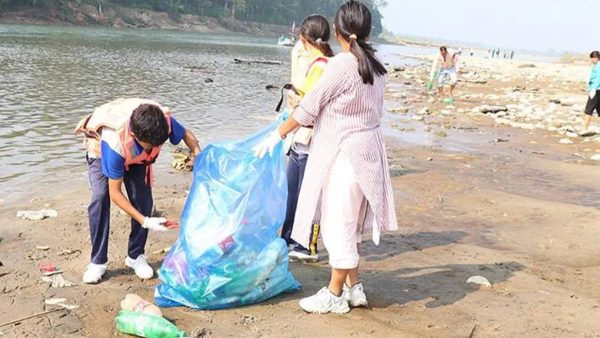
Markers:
51,76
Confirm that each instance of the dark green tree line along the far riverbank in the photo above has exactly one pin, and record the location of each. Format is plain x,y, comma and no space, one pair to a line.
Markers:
282,12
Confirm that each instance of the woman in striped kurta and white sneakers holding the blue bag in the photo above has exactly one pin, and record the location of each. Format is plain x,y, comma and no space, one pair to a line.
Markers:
347,184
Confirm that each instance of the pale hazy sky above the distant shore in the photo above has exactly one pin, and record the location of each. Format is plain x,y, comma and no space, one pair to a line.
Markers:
542,25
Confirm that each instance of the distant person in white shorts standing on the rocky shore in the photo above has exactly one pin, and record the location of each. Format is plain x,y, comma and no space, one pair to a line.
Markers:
445,67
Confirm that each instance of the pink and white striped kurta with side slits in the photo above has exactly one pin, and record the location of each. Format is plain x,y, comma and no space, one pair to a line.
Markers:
346,114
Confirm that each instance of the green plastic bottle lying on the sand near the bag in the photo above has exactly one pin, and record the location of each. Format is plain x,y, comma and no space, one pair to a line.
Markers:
146,325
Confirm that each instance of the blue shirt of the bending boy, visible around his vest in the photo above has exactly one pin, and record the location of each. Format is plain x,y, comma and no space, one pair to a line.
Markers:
113,159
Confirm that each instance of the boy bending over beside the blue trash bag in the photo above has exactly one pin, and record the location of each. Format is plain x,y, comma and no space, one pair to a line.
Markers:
123,138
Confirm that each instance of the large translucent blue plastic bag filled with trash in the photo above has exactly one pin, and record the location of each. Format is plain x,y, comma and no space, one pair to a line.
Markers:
228,252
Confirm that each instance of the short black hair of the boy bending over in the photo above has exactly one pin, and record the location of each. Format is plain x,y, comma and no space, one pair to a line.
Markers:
149,124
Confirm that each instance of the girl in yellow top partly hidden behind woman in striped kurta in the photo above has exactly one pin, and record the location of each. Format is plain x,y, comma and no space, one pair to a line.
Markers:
313,54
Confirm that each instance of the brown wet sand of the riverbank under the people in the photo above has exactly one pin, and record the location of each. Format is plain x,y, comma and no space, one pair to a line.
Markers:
473,198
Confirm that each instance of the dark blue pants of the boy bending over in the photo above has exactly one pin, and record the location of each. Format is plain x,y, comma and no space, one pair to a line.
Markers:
140,196
